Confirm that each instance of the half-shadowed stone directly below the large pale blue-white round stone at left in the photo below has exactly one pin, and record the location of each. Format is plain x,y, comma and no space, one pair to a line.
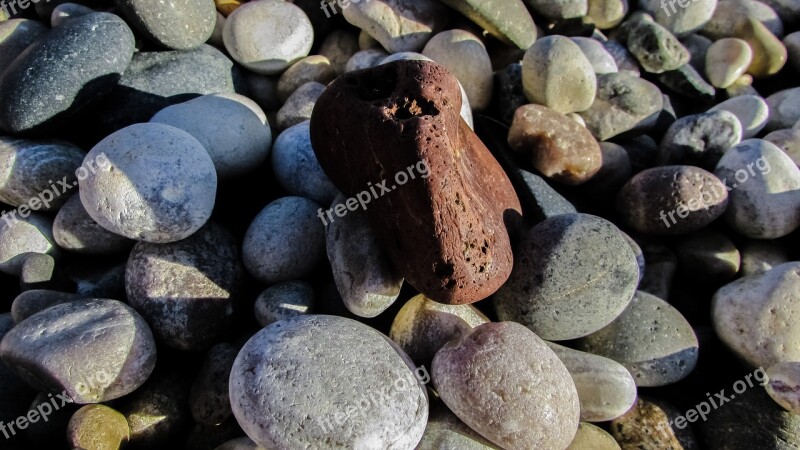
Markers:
76,231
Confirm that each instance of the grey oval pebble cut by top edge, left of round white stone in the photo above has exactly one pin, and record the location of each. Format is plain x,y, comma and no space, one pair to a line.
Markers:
182,26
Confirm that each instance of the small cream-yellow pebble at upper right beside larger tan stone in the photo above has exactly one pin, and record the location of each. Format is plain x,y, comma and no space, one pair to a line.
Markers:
726,60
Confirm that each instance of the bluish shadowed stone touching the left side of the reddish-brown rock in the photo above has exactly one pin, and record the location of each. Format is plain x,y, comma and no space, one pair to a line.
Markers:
296,168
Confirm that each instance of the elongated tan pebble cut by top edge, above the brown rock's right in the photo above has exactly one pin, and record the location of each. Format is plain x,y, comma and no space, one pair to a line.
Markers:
506,20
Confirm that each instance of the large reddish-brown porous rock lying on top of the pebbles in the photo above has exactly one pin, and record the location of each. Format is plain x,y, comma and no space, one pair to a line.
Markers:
446,224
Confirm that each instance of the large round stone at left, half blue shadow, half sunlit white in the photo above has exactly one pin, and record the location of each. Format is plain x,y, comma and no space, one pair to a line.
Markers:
139,194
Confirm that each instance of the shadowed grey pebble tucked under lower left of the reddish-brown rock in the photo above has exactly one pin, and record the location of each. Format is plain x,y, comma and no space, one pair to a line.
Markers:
363,272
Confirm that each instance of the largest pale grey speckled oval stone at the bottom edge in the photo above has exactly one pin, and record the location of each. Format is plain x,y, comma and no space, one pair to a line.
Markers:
326,381
